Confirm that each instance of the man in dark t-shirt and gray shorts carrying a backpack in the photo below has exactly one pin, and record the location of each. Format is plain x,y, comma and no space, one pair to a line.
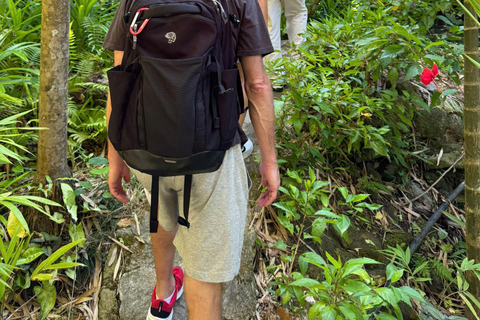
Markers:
211,248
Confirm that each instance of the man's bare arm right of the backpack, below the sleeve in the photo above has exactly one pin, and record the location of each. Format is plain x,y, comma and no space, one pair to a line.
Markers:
260,97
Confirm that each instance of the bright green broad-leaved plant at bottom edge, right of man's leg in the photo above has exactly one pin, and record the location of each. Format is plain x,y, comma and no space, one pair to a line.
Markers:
347,292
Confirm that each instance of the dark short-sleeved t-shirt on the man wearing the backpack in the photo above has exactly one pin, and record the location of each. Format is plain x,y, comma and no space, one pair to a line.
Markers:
251,36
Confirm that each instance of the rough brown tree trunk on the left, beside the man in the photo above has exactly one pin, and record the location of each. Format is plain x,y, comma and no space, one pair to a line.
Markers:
53,99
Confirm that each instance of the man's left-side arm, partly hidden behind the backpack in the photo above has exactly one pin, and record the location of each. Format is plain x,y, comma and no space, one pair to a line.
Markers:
117,168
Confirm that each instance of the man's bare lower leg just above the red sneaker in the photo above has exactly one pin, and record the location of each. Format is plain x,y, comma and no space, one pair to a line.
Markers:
163,253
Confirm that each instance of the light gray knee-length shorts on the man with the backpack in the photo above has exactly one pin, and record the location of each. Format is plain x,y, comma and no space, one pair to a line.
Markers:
211,248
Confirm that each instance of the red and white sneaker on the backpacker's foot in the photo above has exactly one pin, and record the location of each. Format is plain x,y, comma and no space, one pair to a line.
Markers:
159,309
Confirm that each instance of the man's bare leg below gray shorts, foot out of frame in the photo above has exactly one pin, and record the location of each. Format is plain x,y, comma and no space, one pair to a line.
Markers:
203,299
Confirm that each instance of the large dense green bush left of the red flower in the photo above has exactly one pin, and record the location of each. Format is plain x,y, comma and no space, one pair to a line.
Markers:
343,96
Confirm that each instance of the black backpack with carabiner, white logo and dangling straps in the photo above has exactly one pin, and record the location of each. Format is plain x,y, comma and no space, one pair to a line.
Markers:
177,96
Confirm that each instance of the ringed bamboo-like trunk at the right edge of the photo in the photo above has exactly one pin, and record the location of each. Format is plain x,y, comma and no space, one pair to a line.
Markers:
472,149
